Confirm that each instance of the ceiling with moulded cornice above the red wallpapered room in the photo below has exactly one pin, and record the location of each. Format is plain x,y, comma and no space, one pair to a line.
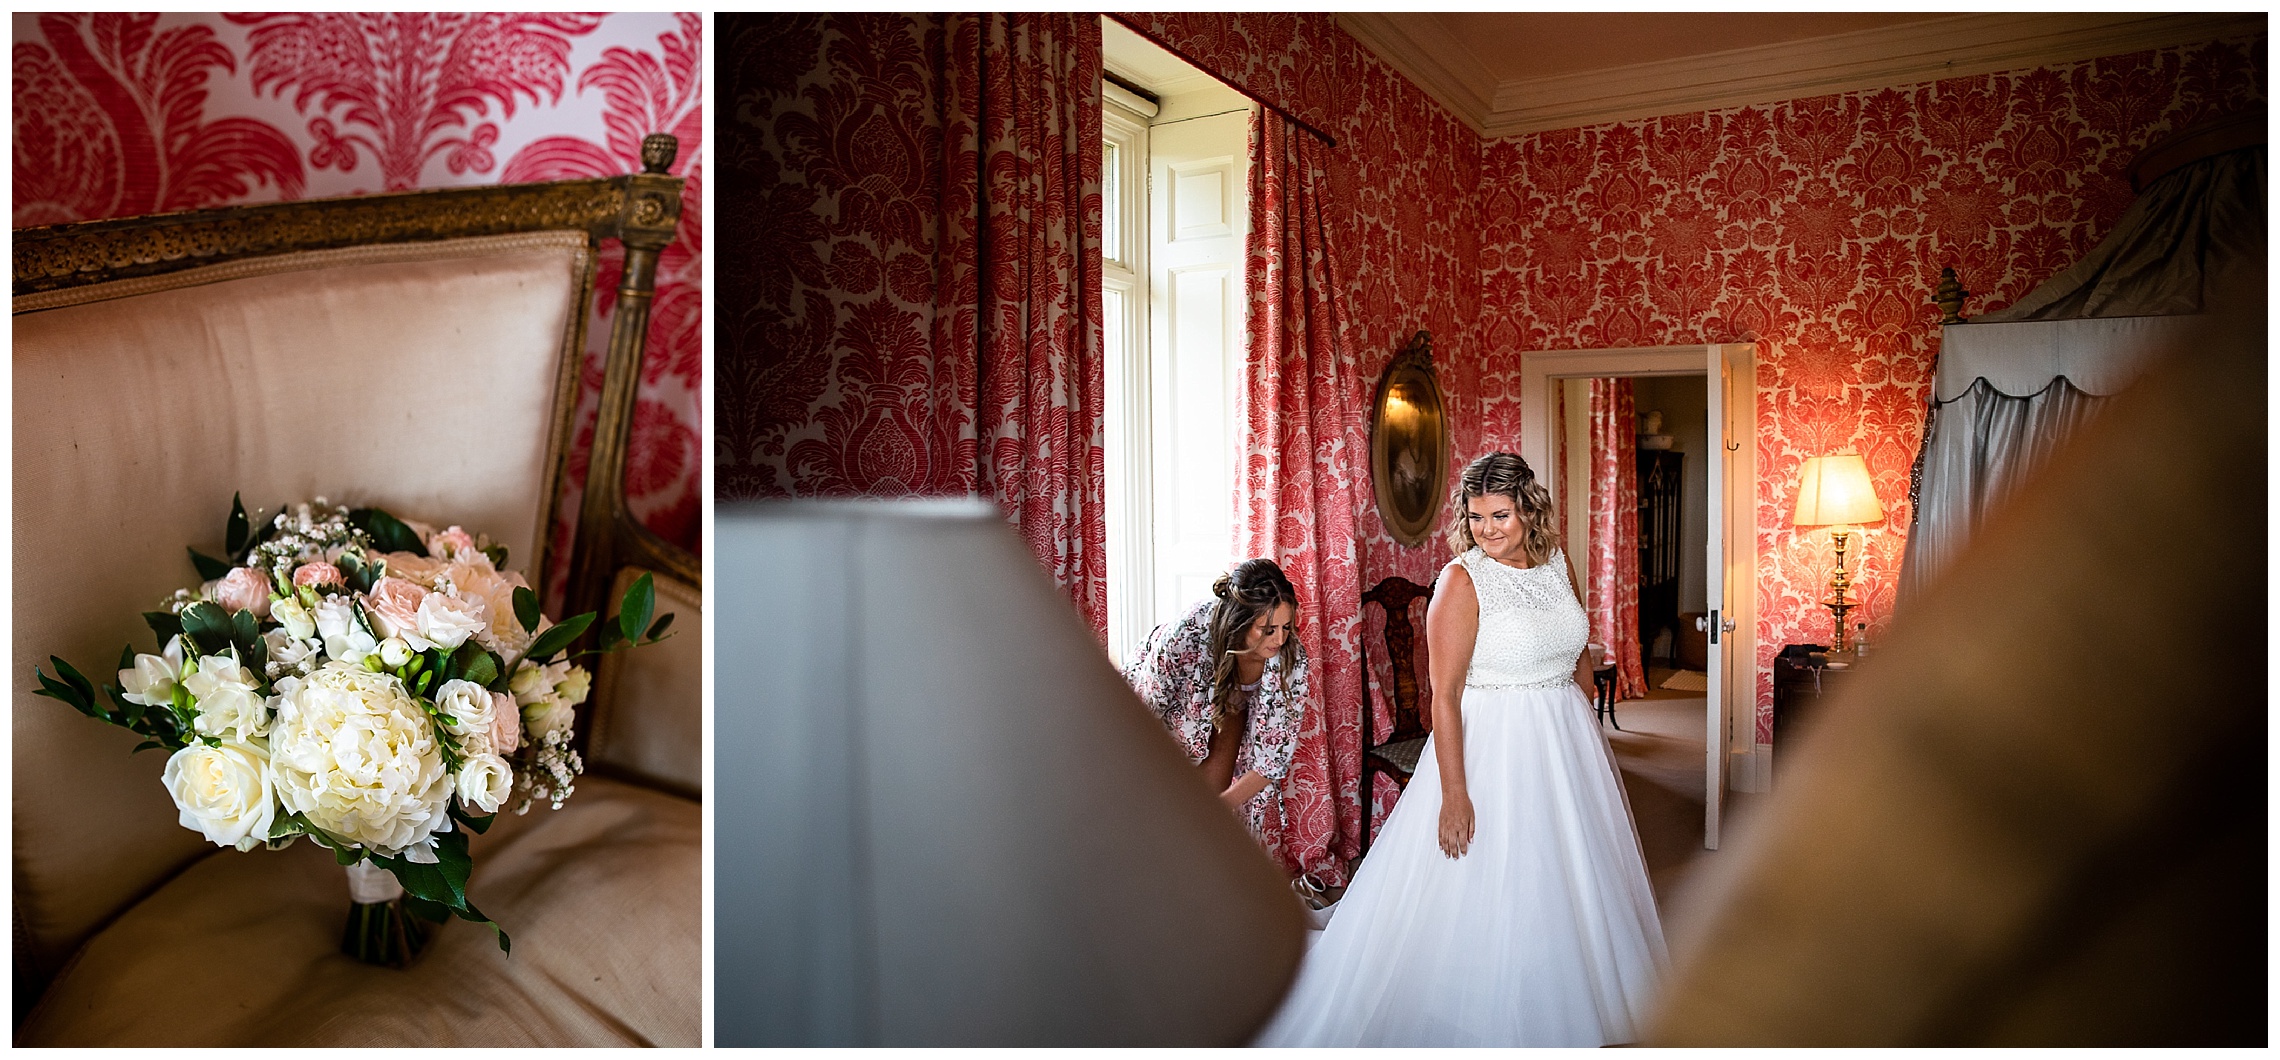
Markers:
1522,72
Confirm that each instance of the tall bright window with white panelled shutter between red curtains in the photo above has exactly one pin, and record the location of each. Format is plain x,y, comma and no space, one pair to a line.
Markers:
1175,218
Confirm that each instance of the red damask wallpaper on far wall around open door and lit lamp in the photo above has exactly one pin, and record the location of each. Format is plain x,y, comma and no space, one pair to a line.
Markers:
1818,229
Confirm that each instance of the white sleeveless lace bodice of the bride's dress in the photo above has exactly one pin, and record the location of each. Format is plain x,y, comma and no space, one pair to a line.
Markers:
1531,626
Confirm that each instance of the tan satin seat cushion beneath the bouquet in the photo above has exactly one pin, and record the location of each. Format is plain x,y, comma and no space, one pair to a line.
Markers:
603,902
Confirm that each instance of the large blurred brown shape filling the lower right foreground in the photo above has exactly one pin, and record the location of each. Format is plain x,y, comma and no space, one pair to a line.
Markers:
2042,820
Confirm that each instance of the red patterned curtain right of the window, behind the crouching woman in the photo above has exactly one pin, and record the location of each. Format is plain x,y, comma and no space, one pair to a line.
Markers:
1303,480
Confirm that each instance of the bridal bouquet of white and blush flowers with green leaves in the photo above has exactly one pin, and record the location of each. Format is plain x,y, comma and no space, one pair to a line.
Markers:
368,683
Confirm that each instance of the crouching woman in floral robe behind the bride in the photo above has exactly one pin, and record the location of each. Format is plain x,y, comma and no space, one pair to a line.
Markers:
1230,683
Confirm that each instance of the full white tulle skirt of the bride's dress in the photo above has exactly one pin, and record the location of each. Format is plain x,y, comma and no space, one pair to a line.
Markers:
1542,936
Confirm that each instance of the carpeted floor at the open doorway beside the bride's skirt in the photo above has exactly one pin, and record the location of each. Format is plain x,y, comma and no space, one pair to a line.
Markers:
1661,753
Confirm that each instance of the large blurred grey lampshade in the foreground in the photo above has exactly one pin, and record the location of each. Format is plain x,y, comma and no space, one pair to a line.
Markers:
945,820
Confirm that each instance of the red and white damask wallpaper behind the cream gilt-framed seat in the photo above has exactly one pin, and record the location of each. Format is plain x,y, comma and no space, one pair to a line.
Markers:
127,115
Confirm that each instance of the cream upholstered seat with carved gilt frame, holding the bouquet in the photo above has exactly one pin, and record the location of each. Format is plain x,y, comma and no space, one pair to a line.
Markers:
418,352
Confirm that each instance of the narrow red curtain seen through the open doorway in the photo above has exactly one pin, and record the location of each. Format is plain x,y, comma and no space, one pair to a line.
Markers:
1615,532
